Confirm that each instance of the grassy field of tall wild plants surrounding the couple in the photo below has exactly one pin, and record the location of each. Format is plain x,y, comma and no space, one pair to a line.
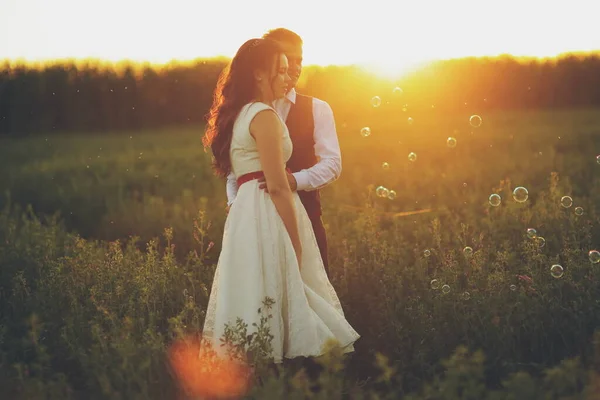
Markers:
93,317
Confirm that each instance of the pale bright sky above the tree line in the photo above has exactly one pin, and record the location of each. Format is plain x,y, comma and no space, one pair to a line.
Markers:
390,34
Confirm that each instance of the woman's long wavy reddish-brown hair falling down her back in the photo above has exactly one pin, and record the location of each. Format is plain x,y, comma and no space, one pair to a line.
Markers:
236,87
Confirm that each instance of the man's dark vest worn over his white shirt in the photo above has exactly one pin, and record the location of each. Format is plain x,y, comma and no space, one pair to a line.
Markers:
301,125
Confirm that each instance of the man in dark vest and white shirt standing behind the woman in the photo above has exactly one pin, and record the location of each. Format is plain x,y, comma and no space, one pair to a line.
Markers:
316,159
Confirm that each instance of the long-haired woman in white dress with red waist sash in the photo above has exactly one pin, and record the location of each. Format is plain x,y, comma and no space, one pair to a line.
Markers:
269,248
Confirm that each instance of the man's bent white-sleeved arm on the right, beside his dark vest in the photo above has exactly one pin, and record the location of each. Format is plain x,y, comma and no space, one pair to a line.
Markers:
327,149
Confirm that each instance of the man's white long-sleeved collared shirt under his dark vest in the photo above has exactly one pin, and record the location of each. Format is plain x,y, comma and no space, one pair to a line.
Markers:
327,148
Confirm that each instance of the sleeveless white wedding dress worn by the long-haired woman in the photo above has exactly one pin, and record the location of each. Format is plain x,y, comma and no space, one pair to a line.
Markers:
258,260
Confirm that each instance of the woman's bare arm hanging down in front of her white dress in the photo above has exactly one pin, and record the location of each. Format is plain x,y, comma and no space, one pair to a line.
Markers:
267,130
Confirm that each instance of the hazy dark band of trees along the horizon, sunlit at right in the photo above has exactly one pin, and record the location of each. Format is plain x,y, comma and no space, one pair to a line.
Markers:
90,96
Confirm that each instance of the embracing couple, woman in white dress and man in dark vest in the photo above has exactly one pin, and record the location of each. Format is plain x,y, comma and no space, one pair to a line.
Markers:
276,148
